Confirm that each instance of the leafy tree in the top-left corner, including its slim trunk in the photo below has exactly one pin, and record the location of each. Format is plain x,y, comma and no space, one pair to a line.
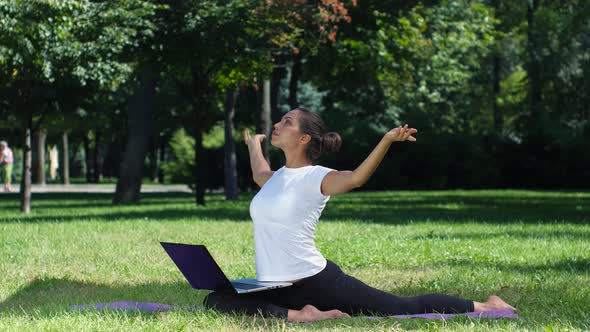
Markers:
47,43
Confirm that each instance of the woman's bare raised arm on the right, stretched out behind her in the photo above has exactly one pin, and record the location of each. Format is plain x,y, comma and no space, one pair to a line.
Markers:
340,182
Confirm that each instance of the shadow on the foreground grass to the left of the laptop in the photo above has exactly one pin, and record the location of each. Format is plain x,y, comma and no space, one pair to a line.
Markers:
46,296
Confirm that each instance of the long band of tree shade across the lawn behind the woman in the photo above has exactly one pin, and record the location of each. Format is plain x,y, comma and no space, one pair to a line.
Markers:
385,208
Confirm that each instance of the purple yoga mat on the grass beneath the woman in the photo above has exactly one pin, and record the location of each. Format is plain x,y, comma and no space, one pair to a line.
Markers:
155,307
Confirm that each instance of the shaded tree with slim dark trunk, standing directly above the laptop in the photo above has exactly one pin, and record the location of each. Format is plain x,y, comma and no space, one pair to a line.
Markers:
205,41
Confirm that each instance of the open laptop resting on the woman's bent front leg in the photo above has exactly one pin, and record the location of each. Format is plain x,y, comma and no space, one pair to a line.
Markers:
202,272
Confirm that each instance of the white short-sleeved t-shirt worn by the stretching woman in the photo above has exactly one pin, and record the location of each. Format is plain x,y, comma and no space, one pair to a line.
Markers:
285,212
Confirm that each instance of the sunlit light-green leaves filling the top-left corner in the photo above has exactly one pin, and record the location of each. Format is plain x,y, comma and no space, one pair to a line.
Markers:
75,40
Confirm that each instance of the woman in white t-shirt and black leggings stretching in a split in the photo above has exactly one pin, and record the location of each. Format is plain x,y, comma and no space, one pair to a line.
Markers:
285,213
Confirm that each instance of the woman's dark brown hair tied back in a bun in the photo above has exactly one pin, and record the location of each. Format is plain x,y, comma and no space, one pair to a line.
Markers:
311,123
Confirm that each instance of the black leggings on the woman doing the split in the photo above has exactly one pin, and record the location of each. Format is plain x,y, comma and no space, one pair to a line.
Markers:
333,289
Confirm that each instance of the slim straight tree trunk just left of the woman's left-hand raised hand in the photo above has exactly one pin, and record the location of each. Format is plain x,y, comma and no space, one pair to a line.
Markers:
229,148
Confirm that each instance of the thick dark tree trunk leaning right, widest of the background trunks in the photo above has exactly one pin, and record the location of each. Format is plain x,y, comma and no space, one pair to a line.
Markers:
139,114
